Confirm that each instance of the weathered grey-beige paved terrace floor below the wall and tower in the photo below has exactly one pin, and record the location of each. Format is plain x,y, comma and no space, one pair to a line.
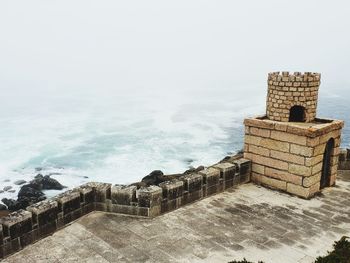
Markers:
249,221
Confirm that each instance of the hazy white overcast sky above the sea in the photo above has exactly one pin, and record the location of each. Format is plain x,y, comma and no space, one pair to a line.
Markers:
111,46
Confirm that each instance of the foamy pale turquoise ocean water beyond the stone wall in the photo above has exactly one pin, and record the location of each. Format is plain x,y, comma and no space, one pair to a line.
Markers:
121,138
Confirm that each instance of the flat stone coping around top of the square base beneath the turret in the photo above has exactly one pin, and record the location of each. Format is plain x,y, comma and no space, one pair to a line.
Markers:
309,129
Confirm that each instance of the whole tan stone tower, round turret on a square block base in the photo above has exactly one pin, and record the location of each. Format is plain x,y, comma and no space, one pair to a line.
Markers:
290,149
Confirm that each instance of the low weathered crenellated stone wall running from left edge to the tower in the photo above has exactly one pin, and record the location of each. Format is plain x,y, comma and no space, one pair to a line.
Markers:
24,227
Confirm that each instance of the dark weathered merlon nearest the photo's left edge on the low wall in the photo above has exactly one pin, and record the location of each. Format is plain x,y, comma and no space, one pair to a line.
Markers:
17,224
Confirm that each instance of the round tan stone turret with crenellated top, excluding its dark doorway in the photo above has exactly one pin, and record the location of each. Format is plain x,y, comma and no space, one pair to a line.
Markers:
286,90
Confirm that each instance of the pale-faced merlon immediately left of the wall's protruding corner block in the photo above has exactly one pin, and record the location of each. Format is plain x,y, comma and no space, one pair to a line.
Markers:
123,194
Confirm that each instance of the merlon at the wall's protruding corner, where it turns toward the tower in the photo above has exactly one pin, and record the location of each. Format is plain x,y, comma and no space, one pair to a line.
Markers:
149,196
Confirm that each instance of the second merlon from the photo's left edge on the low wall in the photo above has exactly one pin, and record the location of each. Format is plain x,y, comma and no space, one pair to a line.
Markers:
44,212
